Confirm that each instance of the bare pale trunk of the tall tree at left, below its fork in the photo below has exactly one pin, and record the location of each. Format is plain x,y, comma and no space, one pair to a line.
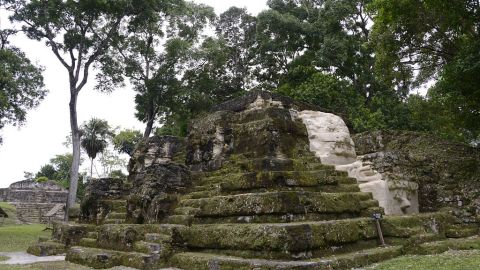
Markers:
72,192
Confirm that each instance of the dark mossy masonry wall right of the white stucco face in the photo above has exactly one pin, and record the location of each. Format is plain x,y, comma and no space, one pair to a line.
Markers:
448,173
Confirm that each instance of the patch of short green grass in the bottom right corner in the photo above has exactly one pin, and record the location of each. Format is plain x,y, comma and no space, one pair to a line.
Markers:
451,260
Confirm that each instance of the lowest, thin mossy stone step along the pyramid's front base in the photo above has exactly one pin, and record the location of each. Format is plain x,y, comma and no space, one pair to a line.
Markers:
205,261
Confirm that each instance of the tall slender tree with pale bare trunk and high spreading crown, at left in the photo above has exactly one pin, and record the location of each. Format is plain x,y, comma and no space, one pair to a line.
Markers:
79,34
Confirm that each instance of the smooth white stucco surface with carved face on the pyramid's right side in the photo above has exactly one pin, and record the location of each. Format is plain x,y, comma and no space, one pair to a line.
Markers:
330,140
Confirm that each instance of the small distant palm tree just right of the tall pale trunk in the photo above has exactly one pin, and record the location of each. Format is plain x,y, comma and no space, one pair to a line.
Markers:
95,134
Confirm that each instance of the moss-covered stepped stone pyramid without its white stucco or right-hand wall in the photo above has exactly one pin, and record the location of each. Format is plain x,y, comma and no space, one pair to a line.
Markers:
243,191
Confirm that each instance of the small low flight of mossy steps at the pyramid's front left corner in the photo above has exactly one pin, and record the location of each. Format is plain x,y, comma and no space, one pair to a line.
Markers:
138,246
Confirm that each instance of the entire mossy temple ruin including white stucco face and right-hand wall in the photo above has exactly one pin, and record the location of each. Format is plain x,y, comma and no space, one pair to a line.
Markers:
264,182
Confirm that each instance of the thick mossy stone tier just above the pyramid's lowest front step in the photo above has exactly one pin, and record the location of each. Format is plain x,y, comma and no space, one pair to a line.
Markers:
289,240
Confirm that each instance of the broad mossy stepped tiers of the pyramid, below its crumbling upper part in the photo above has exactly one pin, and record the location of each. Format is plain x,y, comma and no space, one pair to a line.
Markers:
313,218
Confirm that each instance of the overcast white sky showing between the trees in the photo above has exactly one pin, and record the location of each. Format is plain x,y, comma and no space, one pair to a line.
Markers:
41,138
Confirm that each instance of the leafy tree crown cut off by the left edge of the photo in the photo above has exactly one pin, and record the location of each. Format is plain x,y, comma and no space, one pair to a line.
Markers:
21,83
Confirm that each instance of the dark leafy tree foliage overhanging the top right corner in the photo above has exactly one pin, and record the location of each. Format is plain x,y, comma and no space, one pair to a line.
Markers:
441,41
